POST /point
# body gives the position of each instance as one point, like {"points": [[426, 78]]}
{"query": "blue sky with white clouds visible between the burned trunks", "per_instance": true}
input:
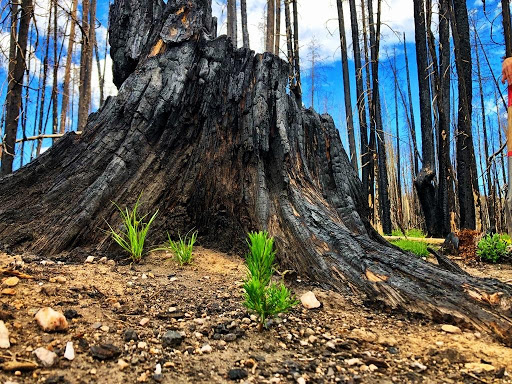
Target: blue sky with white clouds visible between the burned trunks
{"points": [[317, 21]]}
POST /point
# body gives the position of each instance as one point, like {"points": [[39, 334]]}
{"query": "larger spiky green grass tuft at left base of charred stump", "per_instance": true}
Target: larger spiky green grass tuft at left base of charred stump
{"points": [[134, 231]]}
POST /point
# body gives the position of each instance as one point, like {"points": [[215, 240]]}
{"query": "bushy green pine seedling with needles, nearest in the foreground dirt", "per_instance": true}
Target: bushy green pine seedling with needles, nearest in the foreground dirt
{"points": [[263, 297]]}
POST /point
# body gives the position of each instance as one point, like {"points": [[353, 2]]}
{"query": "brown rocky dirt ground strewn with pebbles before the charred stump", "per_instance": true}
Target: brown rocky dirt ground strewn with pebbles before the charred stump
{"points": [[156, 322]]}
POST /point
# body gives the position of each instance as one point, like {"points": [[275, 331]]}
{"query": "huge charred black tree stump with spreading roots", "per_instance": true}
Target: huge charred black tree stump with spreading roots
{"points": [[210, 136]]}
